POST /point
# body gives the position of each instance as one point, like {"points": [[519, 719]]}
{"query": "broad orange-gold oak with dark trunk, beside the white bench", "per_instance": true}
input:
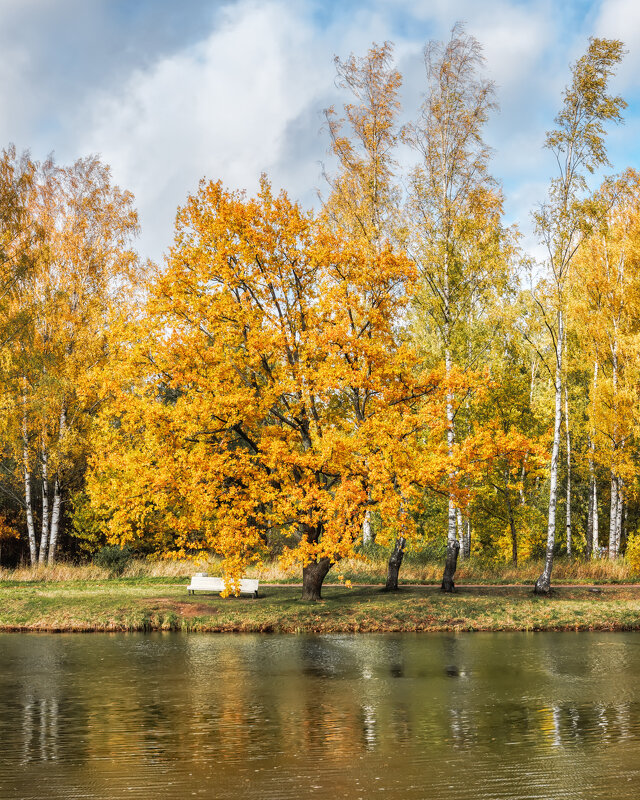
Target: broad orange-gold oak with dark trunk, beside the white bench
{"points": [[271, 391]]}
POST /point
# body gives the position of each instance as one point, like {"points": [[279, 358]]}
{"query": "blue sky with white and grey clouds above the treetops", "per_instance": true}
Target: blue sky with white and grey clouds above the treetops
{"points": [[168, 92]]}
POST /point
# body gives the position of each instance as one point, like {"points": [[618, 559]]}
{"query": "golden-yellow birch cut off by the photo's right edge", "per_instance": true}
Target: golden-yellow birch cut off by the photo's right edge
{"points": [[605, 298]]}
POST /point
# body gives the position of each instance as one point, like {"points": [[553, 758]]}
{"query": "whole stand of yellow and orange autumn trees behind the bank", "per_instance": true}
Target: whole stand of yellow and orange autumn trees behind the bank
{"points": [[391, 368]]}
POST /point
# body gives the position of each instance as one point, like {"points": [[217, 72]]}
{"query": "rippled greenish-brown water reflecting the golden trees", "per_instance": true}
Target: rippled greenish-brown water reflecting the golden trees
{"points": [[164, 716]]}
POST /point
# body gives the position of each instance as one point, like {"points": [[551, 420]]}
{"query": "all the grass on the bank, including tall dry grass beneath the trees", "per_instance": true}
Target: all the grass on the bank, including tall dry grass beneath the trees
{"points": [[151, 595]]}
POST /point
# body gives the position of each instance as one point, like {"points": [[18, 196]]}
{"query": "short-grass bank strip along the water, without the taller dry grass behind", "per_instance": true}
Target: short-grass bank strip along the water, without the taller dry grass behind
{"points": [[130, 604]]}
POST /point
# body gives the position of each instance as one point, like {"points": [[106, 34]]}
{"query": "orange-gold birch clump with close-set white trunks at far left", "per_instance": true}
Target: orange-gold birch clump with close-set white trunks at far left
{"points": [[82, 268]]}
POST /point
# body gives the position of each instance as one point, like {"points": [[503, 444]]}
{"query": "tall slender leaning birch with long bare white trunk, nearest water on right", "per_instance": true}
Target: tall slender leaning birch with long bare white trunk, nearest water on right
{"points": [[578, 146]]}
